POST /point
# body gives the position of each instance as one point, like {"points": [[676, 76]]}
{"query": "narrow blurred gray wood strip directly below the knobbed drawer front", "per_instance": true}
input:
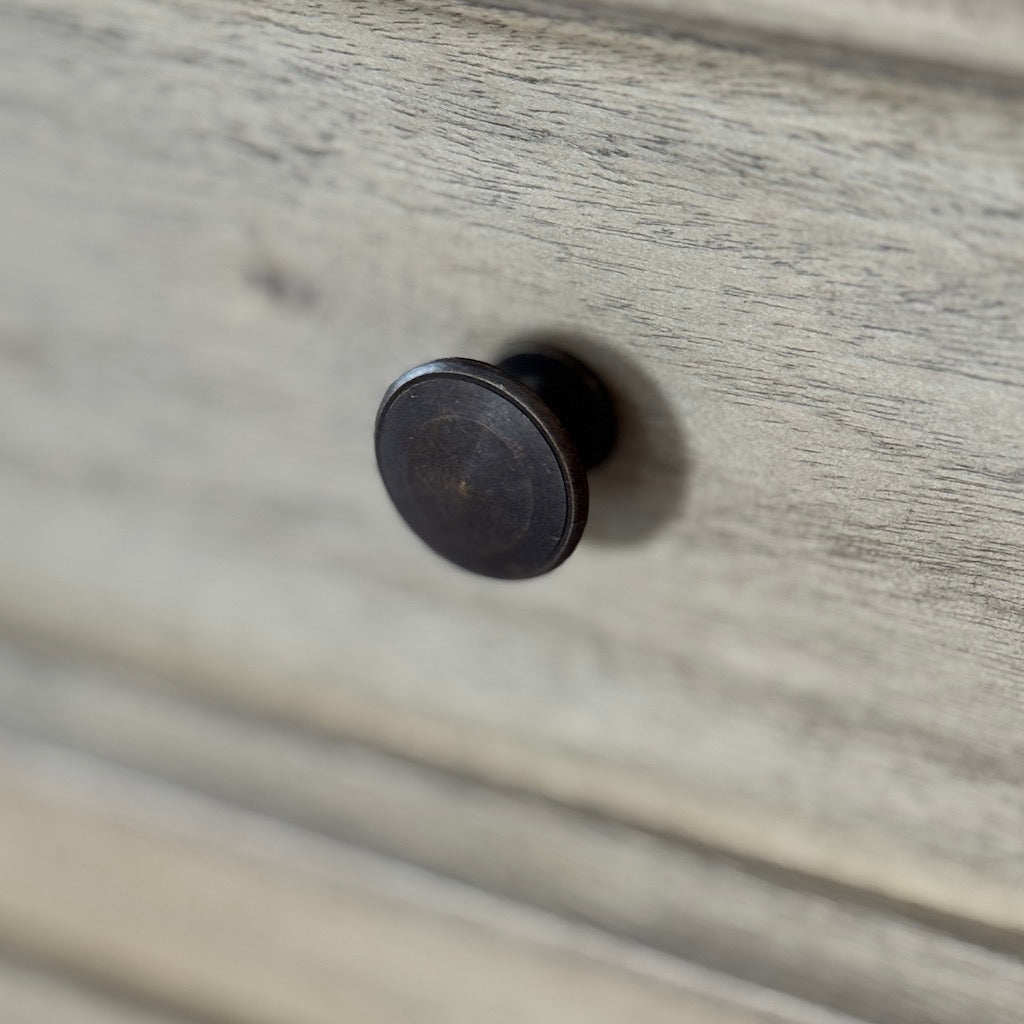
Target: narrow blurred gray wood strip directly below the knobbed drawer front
{"points": [[823, 946]]}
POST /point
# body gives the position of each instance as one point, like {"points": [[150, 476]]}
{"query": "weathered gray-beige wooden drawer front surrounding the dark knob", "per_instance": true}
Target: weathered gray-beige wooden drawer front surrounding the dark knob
{"points": [[795, 633]]}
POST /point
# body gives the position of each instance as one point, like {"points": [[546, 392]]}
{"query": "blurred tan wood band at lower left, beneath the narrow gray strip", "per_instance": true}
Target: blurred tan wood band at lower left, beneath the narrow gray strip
{"points": [[238, 918]]}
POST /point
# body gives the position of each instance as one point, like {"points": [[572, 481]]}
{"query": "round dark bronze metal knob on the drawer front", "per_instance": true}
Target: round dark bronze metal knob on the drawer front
{"points": [[488, 464]]}
